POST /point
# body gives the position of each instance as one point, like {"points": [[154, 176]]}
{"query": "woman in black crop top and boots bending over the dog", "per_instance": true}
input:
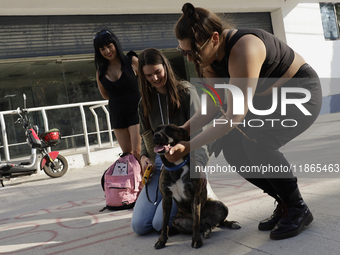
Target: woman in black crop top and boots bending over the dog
{"points": [[258, 66]]}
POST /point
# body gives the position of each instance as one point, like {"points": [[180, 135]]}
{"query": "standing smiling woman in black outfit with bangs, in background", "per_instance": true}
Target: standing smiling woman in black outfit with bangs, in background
{"points": [[117, 81]]}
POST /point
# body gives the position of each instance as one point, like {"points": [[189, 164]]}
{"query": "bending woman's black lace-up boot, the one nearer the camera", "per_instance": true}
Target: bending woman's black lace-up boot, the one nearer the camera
{"points": [[294, 220]]}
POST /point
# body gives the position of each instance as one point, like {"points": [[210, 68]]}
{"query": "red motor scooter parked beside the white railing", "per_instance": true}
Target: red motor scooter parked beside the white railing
{"points": [[53, 164]]}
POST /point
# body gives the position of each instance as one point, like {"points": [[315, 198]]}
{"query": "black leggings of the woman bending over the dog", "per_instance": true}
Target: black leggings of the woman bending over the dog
{"points": [[241, 152]]}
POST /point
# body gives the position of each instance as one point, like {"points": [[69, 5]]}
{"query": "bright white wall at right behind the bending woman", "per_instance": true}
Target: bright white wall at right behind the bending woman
{"points": [[304, 33]]}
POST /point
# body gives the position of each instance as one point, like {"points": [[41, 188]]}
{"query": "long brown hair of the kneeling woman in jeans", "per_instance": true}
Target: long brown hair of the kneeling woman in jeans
{"points": [[152, 56]]}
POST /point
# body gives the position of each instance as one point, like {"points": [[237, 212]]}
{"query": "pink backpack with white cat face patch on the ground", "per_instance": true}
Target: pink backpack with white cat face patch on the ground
{"points": [[121, 183]]}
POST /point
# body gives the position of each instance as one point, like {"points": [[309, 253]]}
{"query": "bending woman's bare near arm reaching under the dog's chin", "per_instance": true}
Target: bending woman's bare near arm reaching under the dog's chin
{"points": [[245, 61]]}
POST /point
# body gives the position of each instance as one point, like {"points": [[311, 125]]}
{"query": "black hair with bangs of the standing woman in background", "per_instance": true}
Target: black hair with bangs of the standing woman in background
{"points": [[103, 38]]}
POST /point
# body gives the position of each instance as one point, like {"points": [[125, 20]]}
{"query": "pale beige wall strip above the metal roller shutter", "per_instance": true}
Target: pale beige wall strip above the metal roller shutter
{"points": [[65, 7]]}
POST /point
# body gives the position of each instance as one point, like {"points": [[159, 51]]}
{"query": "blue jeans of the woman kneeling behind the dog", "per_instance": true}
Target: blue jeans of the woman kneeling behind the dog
{"points": [[147, 216]]}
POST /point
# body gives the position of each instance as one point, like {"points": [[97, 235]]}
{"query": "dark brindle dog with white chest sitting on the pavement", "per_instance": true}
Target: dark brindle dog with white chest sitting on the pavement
{"points": [[197, 211]]}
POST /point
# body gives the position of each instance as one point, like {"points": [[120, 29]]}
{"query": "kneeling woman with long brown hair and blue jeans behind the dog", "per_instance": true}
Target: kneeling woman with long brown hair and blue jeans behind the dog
{"points": [[165, 100]]}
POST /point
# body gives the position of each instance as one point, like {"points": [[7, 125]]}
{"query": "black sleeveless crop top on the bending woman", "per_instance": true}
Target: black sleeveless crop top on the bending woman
{"points": [[279, 57]]}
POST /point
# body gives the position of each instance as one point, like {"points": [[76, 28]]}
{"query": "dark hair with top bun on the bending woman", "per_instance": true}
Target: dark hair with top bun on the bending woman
{"points": [[197, 25]]}
